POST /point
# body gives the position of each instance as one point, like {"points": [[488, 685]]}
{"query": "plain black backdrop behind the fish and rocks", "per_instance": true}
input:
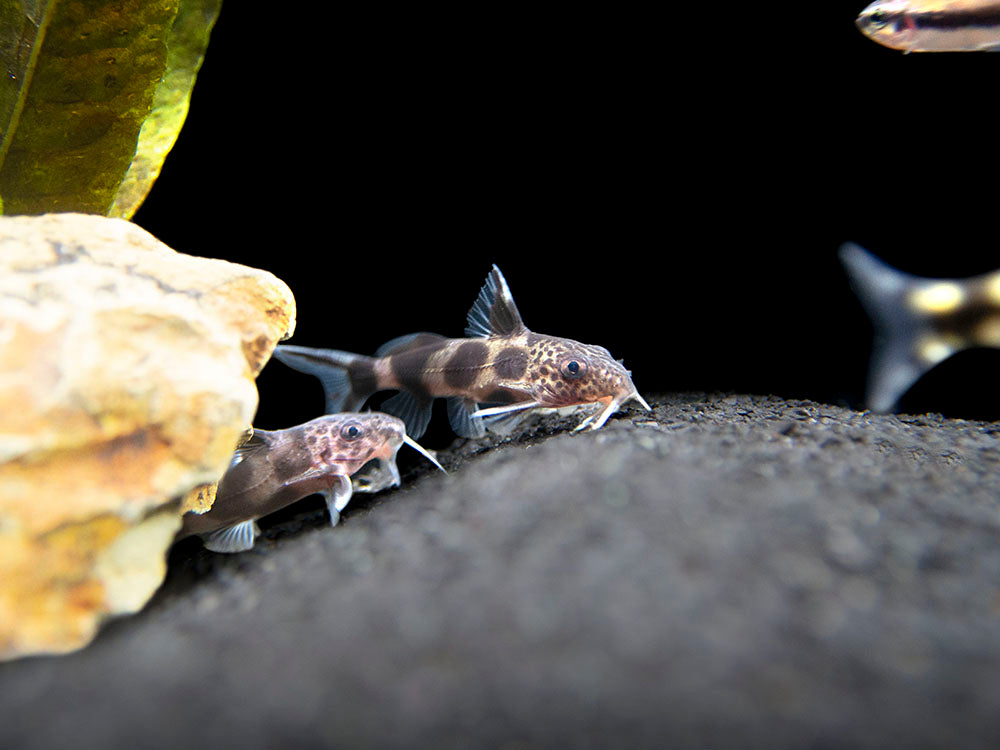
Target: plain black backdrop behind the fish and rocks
{"points": [[669, 182]]}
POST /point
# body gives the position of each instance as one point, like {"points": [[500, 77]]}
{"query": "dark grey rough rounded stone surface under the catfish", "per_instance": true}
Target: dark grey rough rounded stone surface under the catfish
{"points": [[728, 571]]}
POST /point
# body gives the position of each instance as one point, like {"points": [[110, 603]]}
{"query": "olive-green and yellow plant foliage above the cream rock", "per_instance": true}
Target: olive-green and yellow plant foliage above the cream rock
{"points": [[92, 97]]}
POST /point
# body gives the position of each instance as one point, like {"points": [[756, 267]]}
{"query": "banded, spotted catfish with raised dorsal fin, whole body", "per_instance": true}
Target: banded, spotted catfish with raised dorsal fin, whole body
{"points": [[490, 378]]}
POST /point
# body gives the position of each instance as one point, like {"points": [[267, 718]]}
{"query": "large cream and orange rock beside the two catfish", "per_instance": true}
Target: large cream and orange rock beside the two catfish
{"points": [[126, 379]]}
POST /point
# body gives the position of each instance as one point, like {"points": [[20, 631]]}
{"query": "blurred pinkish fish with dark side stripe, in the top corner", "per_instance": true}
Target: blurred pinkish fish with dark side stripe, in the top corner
{"points": [[933, 25]]}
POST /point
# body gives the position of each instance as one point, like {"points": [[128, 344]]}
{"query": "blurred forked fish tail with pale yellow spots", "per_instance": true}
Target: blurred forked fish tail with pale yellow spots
{"points": [[918, 322]]}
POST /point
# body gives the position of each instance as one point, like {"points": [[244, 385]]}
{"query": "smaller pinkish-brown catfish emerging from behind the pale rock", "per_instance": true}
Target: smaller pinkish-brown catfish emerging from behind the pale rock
{"points": [[274, 469]]}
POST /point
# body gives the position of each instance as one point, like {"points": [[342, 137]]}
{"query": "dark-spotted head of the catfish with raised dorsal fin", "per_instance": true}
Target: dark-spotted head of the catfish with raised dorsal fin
{"points": [[563, 372]]}
